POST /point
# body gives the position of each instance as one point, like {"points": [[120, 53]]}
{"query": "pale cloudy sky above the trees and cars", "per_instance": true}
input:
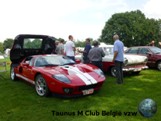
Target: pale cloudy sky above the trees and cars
{"points": [[60, 18]]}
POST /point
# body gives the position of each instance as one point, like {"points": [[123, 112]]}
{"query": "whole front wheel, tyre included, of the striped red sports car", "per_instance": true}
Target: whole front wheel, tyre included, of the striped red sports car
{"points": [[41, 86]]}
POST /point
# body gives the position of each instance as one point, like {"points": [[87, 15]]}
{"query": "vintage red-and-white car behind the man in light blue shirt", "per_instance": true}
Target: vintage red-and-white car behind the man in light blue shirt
{"points": [[132, 63]]}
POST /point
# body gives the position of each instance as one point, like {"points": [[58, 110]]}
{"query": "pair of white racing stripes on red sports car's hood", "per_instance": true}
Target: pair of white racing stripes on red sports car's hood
{"points": [[87, 79]]}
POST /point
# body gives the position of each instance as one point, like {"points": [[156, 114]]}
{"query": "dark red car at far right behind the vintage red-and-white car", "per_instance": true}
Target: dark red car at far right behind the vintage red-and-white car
{"points": [[153, 54]]}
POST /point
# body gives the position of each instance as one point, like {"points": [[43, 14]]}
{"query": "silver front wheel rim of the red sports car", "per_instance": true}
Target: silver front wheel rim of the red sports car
{"points": [[41, 86]]}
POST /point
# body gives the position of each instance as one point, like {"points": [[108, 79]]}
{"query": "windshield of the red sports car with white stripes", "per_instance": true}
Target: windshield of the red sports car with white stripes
{"points": [[53, 60]]}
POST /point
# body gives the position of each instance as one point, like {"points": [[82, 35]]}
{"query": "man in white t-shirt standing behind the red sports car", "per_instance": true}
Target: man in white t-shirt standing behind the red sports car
{"points": [[69, 48]]}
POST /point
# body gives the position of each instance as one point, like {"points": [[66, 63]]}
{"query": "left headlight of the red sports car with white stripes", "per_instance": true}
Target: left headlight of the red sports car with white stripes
{"points": [[61, 78]]}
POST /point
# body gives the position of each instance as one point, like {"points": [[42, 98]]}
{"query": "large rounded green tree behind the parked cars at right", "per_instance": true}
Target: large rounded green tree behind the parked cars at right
{"points": [[133, 28]]}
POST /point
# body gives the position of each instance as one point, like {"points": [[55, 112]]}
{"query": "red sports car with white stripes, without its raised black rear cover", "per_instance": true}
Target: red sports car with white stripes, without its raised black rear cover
{"points": [[58, 74]]}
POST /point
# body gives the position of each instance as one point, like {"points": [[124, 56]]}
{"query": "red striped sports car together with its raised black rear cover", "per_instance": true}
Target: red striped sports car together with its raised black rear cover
{"points": [[50, 72]]}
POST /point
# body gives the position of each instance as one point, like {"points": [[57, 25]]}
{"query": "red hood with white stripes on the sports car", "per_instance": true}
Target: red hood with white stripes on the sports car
{"points": [[79, 73]]}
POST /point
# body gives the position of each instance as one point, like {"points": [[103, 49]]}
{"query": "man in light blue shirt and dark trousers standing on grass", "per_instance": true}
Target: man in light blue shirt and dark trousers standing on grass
{"points": [[118, 58]]}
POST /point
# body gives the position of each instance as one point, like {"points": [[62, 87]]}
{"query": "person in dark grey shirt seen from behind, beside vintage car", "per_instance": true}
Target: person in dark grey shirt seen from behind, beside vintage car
{"points": [[95, 55]]}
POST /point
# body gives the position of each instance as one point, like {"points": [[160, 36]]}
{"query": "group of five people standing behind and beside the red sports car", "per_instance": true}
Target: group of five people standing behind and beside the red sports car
{"points": [[94, 55]]}
